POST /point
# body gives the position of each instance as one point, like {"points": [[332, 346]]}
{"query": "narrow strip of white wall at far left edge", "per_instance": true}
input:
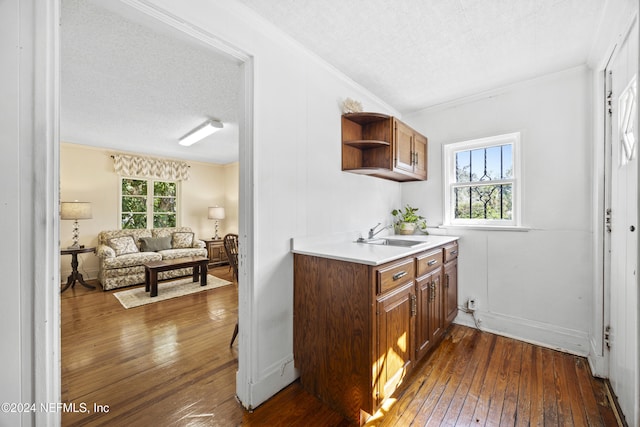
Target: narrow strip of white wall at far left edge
{"points": [[15, 374]]}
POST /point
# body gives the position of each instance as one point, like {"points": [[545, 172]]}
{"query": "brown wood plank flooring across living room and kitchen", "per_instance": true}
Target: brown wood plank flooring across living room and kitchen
{"points": [[169, 364]]}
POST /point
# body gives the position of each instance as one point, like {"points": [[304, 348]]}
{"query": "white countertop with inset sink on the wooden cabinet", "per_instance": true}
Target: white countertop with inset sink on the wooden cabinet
{"points": [[345, 248]]}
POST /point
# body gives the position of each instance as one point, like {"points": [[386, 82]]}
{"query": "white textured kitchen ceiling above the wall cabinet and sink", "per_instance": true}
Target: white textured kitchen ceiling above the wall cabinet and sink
{"points": [[418, 53]]}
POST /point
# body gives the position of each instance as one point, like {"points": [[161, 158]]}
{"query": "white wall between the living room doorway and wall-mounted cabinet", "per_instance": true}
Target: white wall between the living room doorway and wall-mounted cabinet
{"points": [[298, 186]]}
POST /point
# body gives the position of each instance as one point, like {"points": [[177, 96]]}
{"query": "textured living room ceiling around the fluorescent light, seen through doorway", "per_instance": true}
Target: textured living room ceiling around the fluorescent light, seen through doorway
{"points": [[129, 85]]}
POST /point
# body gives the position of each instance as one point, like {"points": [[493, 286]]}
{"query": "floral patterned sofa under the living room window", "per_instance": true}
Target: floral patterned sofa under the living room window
{"points": [[121, 253]]}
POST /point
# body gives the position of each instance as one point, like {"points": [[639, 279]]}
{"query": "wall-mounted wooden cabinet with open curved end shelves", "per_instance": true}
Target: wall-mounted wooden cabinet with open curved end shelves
{"points": [[380, 145]]}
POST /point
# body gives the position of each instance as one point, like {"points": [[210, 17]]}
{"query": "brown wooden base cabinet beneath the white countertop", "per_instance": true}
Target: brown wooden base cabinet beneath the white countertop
{"points": [[360, 329]]}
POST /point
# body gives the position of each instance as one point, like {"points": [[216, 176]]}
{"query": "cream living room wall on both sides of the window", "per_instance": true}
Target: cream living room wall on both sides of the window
{"points": [[86, 174]]}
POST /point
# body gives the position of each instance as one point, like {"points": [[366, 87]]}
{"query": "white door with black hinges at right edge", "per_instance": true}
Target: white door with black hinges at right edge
{"points": [[623, 359]]}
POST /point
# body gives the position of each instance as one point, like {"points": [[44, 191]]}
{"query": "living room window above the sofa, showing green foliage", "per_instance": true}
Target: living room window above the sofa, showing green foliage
{"points": [[146, 202]]}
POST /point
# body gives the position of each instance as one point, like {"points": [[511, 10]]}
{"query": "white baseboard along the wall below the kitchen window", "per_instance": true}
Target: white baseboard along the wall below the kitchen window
{"points": [[542, 334]]}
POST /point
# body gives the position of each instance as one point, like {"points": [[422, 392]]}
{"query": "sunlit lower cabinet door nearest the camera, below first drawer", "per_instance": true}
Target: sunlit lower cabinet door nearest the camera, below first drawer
{"points": [[395, 330]]}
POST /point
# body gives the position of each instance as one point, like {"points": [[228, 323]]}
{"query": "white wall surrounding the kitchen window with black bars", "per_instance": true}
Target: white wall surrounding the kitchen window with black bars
{"points": [[534, 285]]}
